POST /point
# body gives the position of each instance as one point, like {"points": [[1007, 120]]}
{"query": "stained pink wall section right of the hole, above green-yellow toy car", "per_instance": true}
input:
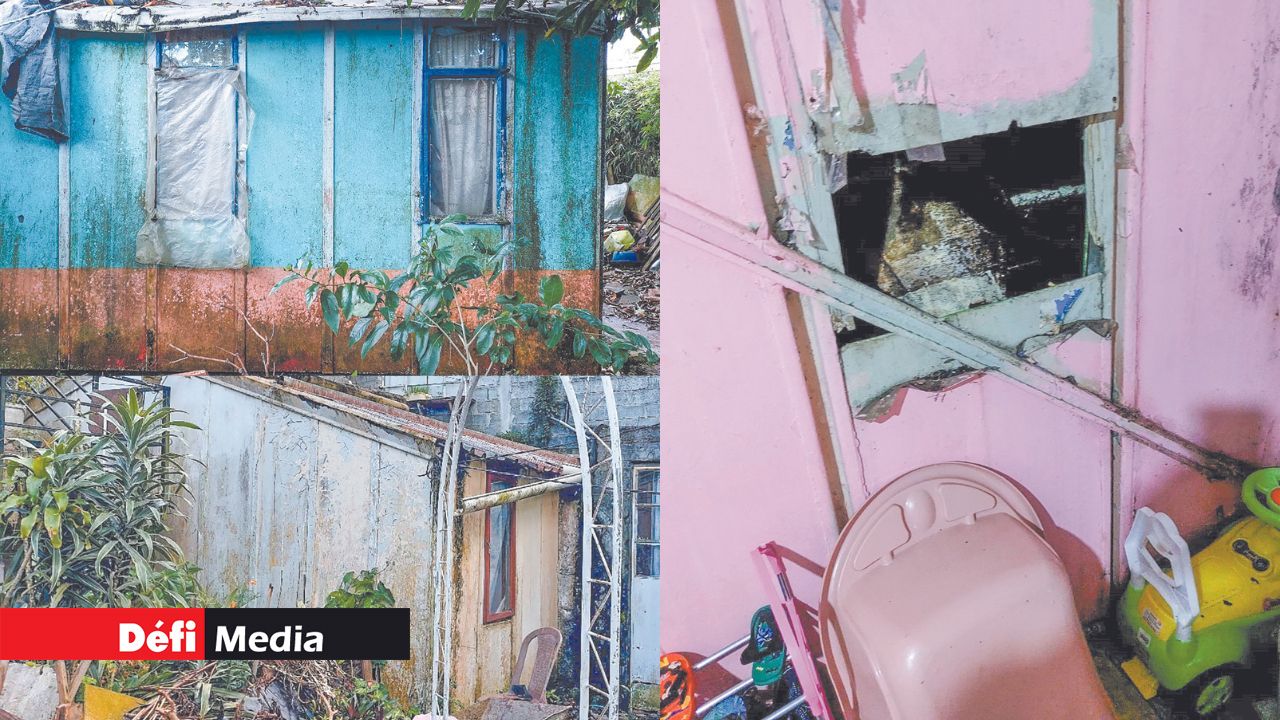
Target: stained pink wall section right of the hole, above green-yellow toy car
{"points": [[1203, 332]]}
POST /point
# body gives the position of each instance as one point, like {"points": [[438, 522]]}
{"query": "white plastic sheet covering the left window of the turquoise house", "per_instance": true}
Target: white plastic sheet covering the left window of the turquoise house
{"points": [[195, 224]]}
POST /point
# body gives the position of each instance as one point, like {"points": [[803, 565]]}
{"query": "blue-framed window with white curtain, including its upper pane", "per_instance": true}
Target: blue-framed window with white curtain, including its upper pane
{"points": [[464, 101]]}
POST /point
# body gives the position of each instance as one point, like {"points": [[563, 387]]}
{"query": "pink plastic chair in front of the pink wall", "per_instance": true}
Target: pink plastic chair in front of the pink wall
{"points": [[943, 601]]}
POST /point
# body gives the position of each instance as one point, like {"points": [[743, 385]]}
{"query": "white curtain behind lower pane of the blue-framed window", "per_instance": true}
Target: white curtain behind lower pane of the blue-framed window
{"points": [[461, 152]]}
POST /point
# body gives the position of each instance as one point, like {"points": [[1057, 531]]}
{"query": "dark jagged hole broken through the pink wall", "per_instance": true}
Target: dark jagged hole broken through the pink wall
{"points": [[1000, 217]]}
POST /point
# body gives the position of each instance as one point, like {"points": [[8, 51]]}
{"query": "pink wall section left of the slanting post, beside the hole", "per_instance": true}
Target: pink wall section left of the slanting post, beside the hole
{"points": [[742, 444]]}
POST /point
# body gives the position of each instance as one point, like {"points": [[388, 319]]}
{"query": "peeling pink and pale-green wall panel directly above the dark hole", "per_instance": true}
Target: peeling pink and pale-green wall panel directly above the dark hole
{"points": [[971, 70]]}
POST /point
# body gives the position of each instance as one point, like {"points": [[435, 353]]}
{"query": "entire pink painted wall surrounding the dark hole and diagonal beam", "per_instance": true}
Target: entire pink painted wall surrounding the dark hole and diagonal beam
{"points": [[1199, 309]]}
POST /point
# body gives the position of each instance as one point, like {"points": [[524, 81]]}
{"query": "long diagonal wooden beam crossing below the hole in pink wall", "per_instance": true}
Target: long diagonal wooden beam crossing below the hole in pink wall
{"points": [[760, 252]]}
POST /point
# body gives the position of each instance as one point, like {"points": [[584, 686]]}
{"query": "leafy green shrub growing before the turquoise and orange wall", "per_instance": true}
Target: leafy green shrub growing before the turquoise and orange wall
{"points": [[420, 311]]}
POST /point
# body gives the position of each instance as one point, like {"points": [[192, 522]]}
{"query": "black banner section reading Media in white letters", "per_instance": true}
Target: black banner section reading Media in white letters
{"points": [[308, 634]]}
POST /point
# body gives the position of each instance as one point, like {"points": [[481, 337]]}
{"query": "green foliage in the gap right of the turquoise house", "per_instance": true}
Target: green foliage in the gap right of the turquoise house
{"points": [[633, 127]]}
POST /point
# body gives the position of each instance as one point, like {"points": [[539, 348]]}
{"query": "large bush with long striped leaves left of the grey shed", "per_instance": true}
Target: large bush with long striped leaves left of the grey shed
{"points": [[84, 521]]}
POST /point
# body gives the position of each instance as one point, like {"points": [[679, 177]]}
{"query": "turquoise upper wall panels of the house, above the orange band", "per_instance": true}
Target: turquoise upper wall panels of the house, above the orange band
{"points": [[555, 129]]}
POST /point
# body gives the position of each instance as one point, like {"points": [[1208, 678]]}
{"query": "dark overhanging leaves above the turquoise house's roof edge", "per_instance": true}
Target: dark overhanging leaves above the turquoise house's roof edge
{"points": [[579, 17]]}
